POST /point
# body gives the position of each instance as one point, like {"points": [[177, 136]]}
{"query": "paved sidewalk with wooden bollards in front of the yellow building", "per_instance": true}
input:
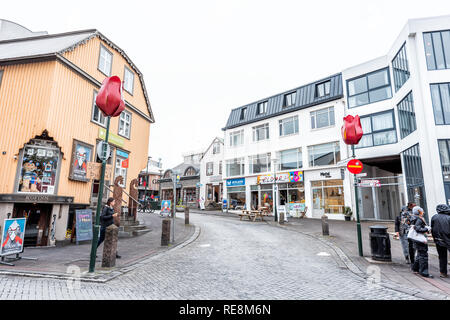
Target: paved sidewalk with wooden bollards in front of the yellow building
{"points": [[62, 262]]}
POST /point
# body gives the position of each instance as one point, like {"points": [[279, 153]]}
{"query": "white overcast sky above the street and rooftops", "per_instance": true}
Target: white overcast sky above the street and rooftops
{"points": [[200, 59]]}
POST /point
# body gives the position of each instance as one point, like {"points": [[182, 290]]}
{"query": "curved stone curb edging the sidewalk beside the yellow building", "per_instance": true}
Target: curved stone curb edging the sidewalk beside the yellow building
{"points": [[103, 276]]}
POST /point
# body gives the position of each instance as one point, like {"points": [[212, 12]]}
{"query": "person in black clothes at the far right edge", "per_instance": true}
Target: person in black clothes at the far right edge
{"points": [[440, 230]]}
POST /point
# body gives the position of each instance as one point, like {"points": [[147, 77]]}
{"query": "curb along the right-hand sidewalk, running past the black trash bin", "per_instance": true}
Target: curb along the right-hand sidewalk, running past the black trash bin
{"points": [[426, 295]]}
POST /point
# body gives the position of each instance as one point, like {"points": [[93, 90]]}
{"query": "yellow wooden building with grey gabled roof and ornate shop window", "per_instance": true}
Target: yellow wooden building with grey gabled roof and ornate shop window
{"points": [[50, 126]]}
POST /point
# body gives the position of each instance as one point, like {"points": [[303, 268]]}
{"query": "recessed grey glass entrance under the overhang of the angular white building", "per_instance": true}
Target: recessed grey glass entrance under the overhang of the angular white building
{"points": [[381, 202]]}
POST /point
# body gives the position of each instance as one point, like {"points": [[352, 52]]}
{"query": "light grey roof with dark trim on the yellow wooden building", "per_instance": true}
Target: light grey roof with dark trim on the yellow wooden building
{"points": [[55, 45]]}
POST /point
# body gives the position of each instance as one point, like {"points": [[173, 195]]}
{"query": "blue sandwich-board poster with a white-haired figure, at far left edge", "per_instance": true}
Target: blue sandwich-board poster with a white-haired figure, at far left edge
{"points": [[13, 236]]}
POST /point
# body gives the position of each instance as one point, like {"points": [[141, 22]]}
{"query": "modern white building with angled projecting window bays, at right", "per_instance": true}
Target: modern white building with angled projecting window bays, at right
{"points": [[403, 100]]}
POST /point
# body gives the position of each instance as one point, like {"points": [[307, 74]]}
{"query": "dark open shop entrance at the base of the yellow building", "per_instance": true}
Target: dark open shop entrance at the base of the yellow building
{"points": [[38, 222]]}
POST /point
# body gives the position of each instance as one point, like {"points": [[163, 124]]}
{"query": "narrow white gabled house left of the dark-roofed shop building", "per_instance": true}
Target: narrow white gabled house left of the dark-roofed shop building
{"points": [[211, 185]]}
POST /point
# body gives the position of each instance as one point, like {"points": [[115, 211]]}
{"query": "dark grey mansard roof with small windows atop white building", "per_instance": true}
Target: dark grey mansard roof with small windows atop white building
{"points": [[305, 98]]}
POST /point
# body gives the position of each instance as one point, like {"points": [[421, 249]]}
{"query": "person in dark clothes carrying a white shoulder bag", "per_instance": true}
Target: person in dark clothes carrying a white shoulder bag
{"points": [[420, 265]]}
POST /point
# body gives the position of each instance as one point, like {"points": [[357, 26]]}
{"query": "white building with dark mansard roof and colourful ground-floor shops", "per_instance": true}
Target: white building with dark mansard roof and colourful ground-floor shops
{"points": [[287, 149]]}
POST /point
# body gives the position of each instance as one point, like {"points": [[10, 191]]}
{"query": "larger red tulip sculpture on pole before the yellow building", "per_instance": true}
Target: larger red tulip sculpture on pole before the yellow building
{"points": [[109, 98]]}
